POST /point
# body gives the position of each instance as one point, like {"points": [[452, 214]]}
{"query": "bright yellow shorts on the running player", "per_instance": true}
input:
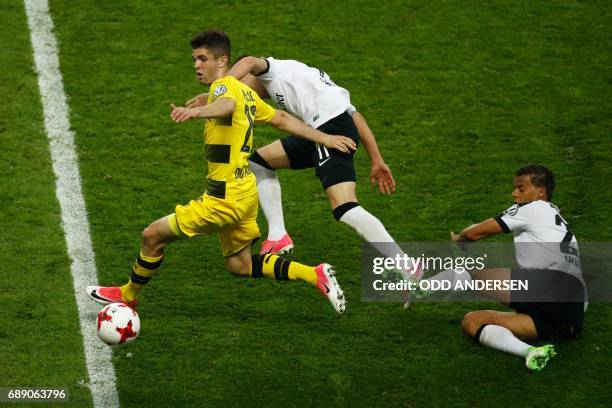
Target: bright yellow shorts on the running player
{"points": [[235, 220]]}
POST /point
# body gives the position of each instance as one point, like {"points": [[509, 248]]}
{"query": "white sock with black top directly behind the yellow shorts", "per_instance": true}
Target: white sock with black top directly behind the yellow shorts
{"points": [[270, 200]]}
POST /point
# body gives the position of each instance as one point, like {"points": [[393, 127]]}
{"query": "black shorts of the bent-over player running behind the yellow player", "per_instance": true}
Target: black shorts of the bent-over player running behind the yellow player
{"points": [[331, 165]]}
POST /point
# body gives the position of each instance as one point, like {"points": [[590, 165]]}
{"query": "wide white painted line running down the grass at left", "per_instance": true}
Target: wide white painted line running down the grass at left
{"points": [[68, 190]]}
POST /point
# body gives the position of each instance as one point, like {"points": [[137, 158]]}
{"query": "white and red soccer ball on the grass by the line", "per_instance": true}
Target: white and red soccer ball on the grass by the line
{"points": [[117, 324]]}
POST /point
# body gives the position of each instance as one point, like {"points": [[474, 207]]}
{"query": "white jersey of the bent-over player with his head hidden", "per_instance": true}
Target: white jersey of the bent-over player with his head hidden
{"points": [[304, 91]]}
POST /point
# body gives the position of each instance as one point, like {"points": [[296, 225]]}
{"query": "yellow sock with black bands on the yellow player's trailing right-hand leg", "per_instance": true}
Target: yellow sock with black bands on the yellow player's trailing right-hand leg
{"points": [[275, 267]]}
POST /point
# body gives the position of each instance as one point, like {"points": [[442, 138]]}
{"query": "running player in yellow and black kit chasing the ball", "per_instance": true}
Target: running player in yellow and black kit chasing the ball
{"points": [[230, 203]]}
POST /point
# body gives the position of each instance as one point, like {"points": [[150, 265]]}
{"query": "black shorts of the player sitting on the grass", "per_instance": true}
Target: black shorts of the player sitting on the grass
{"points": [[555, 302]]}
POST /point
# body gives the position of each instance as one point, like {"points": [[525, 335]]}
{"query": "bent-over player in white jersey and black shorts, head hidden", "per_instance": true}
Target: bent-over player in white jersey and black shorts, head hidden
{"points": [[310, 94]]}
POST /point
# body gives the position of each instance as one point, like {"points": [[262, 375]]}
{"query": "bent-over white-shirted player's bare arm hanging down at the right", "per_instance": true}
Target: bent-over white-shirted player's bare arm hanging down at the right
{"points": [[380, 173]]}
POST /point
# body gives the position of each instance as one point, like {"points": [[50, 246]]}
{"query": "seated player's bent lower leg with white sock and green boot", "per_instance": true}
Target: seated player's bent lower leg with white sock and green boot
{"points": [[505, 331]]}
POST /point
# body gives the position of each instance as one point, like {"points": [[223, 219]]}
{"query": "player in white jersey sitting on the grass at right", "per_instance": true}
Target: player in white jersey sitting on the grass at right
{"points": [[547, 255]]}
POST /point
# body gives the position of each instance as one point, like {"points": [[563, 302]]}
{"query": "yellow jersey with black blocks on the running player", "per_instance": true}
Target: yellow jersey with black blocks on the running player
{"points": [[229, 140]]}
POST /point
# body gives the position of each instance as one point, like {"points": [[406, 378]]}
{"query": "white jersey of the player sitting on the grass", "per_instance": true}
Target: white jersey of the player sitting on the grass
{"points": [[542, 238]]}
